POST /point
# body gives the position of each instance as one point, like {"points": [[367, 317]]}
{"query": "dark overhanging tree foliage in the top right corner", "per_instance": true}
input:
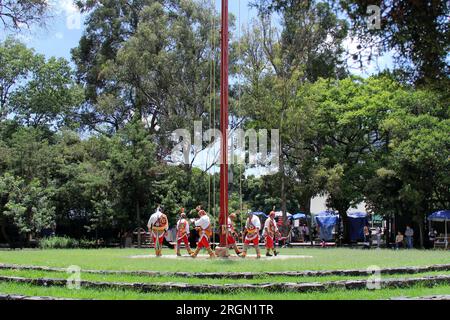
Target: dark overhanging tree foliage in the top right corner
{"points": [[417, 32]]}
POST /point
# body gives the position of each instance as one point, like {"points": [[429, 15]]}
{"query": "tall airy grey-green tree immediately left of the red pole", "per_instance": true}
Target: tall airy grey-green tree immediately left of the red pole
{"points": [[150, 59]]}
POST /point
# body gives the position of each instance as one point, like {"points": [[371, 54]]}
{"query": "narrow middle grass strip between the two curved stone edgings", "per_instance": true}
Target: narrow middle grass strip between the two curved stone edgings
{"points": [[145, 279]]}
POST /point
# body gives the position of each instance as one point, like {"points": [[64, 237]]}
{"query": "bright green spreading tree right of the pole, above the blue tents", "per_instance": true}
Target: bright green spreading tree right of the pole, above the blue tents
{"points": [[336, 126]]}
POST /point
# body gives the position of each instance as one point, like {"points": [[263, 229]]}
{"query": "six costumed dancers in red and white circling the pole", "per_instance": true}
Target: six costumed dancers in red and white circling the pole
{"points": [[158, 225]]}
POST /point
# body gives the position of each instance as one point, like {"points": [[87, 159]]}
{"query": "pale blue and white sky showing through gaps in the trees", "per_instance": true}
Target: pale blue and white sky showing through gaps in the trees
{"points": [[65, 28]]}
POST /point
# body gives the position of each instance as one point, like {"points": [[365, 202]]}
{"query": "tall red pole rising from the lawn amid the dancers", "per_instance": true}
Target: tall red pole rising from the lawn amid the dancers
{"points": [[223, 218]]}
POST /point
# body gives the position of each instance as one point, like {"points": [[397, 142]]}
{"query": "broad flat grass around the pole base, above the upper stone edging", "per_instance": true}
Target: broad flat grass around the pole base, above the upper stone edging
{"points": [[322, 259]]}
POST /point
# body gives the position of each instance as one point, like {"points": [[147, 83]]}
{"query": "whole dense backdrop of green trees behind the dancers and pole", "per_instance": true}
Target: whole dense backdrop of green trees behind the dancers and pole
{"points": [[84, 150]]}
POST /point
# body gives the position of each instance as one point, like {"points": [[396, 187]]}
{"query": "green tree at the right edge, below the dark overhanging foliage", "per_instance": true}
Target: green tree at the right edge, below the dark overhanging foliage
{"points": [[419, 156]]}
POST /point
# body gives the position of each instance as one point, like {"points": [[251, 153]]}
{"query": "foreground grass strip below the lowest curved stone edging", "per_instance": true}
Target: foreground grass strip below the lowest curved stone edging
{"points": [[23, 289]]}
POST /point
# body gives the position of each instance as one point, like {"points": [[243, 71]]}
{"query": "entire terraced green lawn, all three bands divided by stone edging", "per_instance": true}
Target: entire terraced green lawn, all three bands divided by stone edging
{"points": [[119, 259]]}
